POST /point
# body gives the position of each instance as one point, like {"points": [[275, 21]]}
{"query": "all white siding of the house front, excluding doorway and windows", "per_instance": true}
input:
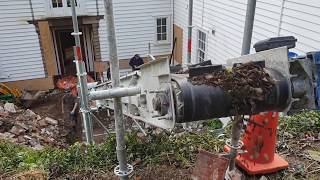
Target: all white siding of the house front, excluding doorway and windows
{"points": [[20, 53]]}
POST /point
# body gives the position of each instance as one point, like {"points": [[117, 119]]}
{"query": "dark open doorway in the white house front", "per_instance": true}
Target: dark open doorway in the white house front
{"points": [[64, 43]]}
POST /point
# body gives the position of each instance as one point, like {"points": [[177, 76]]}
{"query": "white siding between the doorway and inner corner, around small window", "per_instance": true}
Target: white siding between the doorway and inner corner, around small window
{"points": [[136, 28]]}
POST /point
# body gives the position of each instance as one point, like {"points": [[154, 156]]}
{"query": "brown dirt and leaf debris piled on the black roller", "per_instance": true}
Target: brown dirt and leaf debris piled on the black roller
{"points": [[246, 84]]}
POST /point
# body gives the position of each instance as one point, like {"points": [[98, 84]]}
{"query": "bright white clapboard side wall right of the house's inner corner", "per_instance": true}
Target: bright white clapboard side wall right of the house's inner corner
{"points": [[223, 21]]}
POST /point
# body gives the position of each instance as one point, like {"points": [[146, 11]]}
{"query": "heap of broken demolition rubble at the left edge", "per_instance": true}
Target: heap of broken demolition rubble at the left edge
{"points": [[25, 127]]}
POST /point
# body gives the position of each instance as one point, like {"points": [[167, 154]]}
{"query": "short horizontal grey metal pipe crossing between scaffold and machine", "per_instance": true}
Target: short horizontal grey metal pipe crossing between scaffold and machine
{"points": [[114, 93]]}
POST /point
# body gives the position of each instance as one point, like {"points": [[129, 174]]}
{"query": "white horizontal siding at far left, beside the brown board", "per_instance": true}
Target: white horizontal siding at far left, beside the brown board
{"points": [[20, 55]]}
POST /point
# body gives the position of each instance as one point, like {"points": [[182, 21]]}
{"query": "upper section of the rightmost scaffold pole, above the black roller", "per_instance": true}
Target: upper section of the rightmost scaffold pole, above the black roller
{"points": [[247, 34]]}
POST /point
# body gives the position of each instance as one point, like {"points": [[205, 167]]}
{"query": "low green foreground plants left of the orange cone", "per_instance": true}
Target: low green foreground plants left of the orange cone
{"points": [[153, 149]]}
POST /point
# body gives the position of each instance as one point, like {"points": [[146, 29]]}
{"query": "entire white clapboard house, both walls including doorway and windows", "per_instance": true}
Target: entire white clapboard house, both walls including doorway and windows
{"points": [[36, 45]]}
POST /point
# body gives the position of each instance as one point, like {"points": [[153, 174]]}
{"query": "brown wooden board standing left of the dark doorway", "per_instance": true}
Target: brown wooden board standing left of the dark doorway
{"points": [[48, 48]]}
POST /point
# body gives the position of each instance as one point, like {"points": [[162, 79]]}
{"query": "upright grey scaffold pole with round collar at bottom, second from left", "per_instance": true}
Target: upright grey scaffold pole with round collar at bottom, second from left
{"points": [[122, 170]]}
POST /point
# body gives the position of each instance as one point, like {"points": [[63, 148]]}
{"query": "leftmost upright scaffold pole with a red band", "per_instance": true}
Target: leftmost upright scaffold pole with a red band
{"points": [[82, 78]]}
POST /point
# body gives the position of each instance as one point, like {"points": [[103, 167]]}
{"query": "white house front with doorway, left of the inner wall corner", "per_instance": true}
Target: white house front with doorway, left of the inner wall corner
{"points": [[36, 45]]}
